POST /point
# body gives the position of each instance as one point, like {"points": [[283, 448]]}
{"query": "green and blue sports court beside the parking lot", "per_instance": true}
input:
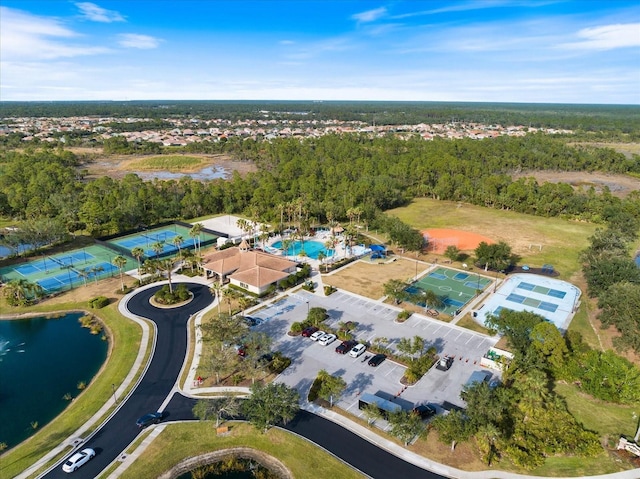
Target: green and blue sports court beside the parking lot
{"points": [[456, 288]]}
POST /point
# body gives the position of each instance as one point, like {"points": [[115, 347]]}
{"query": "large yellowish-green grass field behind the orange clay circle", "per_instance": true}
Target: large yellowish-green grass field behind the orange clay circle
{"points": [[561, 240]]}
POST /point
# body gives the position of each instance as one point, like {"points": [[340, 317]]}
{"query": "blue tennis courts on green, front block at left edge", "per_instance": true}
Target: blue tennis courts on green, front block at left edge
{"points": [[67, 270]]}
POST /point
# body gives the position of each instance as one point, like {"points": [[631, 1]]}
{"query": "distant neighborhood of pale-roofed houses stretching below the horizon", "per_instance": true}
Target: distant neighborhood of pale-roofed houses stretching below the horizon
{"points": [[186, 131]]}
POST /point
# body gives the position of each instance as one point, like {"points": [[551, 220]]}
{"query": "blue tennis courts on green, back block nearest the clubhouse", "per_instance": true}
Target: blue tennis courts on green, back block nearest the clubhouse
{"points": [[161, 242]]}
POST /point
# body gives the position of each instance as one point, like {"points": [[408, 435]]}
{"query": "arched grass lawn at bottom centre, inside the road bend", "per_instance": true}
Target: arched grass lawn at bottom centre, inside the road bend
{"points": [[180, 441]]}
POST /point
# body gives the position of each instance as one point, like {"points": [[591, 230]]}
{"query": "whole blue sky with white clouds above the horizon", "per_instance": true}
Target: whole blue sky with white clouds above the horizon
{"points": [[556, 51]]}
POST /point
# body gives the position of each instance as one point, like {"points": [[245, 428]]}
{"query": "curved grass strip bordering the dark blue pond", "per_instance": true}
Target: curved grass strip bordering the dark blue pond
{"points": [[126, 336]]}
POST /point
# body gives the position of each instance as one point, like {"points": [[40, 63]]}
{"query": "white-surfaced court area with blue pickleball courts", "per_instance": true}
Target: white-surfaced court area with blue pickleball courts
{"points": [[553, 299]]}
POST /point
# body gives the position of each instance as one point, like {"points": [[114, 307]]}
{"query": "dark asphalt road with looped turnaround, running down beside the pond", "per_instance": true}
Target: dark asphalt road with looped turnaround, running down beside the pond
{"points": [[156, 384]]}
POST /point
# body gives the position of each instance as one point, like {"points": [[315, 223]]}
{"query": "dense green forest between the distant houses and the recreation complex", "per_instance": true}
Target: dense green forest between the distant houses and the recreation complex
{"points": [[329, 175]]}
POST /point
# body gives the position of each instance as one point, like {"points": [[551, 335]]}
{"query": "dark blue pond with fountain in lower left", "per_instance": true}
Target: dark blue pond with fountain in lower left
{"points": [[41, 361]]}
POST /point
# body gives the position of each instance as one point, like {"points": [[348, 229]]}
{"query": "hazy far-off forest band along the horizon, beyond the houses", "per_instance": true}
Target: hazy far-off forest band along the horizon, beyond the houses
{"points": [[619, 120]]}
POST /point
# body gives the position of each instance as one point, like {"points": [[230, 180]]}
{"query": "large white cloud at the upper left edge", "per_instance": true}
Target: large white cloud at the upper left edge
{"points": [[27, 37]]}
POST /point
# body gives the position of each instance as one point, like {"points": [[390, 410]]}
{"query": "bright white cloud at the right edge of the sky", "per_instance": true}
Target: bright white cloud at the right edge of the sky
{"points": [[607, 37]]}
